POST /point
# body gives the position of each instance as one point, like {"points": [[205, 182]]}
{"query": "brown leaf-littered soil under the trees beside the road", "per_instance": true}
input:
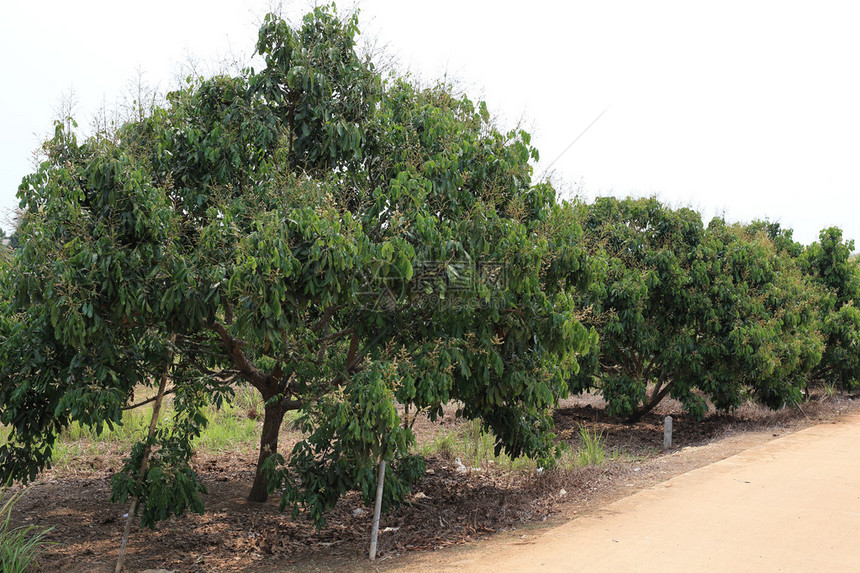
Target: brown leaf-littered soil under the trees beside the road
{"points": [[447, 508]]}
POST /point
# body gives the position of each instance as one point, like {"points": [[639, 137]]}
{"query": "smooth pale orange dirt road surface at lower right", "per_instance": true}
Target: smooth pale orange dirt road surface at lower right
{"points": [[791, 504]]}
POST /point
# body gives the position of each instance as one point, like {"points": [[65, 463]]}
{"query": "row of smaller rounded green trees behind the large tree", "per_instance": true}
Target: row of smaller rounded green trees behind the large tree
{"points": [[719, 313]]}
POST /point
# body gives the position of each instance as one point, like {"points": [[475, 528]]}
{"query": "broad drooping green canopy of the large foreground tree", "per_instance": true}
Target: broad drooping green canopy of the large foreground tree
{"points": [[339, 241]]}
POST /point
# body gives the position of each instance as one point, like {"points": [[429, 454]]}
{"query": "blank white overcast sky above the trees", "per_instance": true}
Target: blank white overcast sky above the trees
{"points": [[747, 108]]}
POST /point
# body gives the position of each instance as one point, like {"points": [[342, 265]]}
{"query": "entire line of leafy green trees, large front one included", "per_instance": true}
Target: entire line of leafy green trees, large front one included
{"points": [[344, 242]]}
